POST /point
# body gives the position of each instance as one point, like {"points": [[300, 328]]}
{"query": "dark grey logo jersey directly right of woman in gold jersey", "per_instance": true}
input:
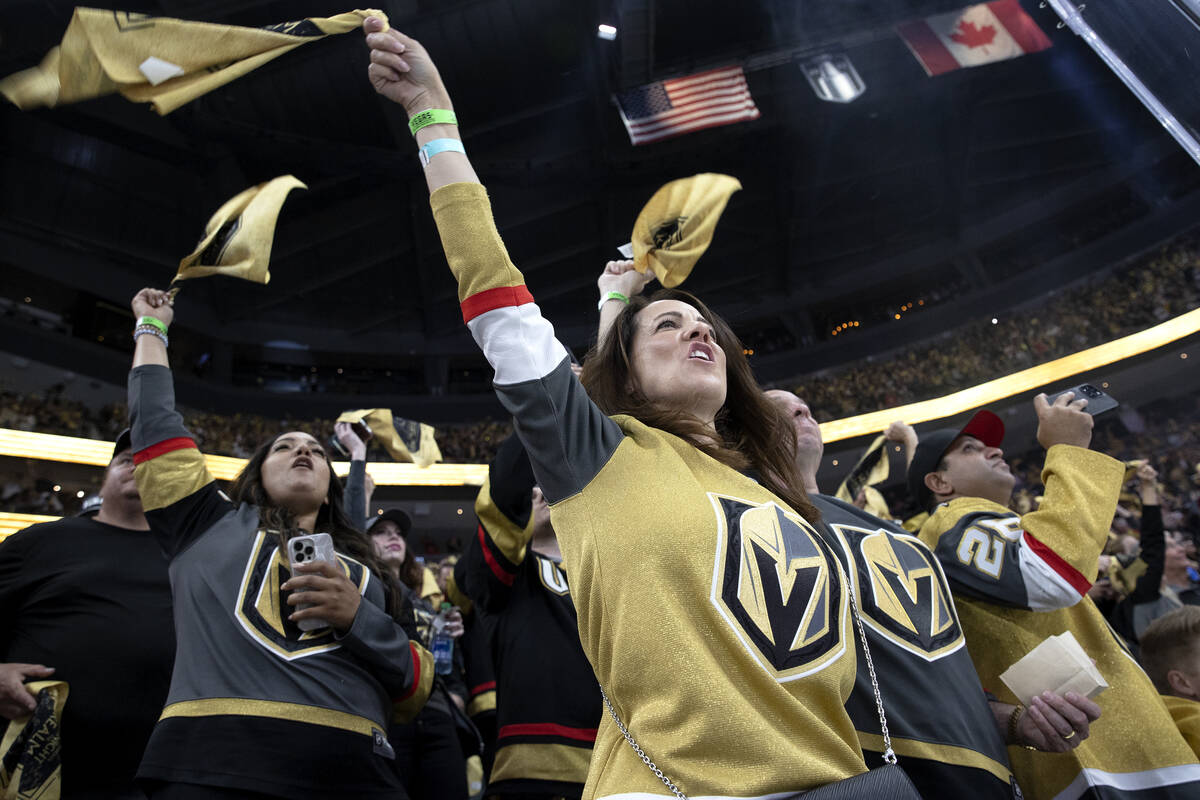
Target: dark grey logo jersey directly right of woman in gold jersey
{"points": [[941, 725]]}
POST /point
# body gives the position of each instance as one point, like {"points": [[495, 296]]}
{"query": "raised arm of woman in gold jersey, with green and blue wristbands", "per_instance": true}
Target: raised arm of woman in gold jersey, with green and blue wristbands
{"points": [[567, 437]]}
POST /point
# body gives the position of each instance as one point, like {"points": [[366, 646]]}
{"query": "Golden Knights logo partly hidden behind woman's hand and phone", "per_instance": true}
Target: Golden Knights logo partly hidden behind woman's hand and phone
{"points": [[263, 613]]}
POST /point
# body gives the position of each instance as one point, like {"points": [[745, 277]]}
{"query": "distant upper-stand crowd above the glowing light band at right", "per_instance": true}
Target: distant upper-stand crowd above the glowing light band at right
{"points": [[1149, 292]]}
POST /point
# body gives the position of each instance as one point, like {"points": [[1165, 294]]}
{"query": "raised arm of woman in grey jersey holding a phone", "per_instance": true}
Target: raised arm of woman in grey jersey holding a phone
{"points": [[178, 494]]}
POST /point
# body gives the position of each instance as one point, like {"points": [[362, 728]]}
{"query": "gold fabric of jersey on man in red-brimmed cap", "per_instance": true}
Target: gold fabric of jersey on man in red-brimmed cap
{"points": [[1135, 736]]}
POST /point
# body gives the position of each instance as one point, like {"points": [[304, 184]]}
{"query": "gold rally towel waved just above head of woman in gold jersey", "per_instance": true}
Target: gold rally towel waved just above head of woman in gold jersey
{"points": [[677, 225]]}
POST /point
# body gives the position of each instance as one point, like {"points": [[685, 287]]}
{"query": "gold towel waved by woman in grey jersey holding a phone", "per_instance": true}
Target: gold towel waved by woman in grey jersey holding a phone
{"points": [[238, 239]]}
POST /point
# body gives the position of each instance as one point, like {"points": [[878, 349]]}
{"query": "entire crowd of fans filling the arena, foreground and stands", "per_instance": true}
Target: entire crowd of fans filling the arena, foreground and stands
{"points": [[661, 600]]}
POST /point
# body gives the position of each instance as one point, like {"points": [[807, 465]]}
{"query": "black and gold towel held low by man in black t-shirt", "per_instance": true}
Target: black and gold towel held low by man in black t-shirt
{"points": [[32, 749]]}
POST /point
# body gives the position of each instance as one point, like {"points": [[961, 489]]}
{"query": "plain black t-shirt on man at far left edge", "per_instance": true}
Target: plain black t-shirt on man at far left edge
{"points": [[94, 603]]}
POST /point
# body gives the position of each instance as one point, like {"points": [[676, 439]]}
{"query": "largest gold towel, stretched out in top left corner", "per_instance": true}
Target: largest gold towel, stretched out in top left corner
{"points": [[159, 61]]}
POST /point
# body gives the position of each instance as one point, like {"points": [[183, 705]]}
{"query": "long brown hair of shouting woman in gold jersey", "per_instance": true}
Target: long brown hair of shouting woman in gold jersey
{"points": [[752, 431]]}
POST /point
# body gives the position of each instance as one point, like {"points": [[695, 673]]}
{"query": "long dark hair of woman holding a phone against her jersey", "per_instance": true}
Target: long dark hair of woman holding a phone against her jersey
{"points": [[332, 520]]}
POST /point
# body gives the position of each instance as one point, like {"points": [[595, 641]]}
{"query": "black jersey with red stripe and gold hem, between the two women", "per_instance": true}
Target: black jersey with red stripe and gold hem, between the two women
{"points": [[548, 702]]}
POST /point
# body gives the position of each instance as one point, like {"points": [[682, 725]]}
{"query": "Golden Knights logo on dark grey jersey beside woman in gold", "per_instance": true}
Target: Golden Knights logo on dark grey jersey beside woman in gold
{"points": [[902, 592]]}
